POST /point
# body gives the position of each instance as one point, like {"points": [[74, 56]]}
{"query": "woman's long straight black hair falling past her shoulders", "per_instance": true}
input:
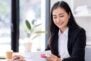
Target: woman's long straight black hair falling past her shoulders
{"points": [[53, 28]]}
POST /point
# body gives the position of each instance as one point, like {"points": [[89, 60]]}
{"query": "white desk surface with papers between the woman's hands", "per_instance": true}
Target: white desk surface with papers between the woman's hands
{"points": [[32, 56]]}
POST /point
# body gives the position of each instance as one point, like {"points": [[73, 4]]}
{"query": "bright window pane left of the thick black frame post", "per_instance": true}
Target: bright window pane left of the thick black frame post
{"points": [[5, 26]]}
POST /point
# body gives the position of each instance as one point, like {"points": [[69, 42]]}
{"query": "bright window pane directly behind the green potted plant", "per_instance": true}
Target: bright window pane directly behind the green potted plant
{"points": [[34, 12]]}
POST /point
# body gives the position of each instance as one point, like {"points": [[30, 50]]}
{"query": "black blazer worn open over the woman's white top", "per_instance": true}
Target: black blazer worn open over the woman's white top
{"points": [[76, 45]]}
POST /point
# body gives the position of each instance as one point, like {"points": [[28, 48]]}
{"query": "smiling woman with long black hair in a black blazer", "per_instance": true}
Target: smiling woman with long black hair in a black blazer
{"points": [[67, 39]]}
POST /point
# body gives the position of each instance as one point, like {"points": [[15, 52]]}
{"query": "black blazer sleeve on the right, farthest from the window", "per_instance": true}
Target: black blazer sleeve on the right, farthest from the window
{"points": [[78, 50]]}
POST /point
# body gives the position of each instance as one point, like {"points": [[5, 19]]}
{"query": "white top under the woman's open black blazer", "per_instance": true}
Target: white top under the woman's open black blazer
{"points": [[63, 41]]}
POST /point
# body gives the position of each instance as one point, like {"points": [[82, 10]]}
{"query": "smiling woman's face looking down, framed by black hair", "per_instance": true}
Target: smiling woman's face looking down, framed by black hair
{"points": [[60, 18]]}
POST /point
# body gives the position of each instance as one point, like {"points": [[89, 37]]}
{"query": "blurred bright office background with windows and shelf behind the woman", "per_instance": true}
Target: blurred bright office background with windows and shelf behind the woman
{"points": [[13, 13]]}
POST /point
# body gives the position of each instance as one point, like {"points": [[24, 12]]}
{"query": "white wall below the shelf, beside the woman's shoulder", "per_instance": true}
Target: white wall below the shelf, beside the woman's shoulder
{"points": [[85, 22]]}
